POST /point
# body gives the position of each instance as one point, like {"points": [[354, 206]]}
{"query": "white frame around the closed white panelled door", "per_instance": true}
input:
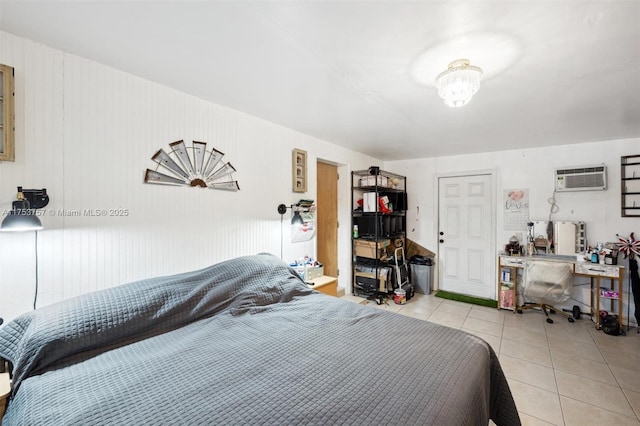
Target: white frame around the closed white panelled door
{"points": [[494, 219]]}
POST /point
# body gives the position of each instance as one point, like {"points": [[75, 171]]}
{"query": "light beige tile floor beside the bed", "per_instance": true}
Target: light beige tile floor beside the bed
{"points": [[559, 374]]}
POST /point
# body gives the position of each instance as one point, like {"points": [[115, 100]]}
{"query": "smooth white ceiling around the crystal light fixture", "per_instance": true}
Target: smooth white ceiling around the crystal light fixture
{"points": [[359, 73]]}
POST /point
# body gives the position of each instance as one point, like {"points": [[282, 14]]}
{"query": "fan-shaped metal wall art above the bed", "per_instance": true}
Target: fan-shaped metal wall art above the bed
{"points": [[193, 166]]}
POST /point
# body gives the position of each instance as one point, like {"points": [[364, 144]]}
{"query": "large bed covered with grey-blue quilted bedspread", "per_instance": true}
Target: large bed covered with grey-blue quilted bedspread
{"points": [[243, 342]]}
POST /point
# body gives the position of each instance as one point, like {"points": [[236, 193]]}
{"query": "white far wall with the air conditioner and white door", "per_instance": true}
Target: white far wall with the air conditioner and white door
{"points": [[532, 169]]}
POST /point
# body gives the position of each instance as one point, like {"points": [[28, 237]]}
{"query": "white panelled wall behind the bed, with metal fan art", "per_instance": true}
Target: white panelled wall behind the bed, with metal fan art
{"points": [[87, 132]]}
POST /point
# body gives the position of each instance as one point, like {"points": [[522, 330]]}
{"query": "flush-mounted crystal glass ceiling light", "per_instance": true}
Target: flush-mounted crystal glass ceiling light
{"points": [[458, 83]]}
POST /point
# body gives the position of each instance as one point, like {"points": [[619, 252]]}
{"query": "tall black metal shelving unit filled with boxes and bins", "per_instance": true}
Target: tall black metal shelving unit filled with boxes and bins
{"points": [[376, 226]]}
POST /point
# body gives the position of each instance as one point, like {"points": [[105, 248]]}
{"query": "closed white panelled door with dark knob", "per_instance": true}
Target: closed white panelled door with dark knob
{"points": [[466, 235]]}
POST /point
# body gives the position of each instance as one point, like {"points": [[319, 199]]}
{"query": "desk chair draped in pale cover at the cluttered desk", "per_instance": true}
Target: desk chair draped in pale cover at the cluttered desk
{"points": [[545, 284]]}
